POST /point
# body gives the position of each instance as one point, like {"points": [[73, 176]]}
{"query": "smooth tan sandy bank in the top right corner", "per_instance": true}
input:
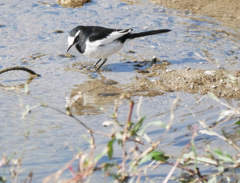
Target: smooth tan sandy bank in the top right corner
{"points": [[225, 11]]}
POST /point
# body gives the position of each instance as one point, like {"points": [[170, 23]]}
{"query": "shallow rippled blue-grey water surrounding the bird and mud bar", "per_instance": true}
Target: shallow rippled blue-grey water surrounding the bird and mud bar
{"points": [[28, 38]]}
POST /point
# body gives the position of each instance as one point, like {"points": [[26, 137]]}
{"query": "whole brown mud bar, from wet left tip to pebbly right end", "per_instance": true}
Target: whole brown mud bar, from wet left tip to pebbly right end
{"points": [[155, 81]]}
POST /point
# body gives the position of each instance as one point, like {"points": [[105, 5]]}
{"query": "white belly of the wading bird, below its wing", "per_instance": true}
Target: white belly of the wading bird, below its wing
{"points": [[96, 50]]}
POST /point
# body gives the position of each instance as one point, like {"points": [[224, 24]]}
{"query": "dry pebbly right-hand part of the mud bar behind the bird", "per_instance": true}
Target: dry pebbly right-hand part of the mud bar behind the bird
{"points": [[223, 84]]}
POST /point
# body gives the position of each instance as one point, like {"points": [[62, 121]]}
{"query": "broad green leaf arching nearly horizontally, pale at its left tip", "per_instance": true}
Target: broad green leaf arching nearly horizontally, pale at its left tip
{"points": [[154, 155]]}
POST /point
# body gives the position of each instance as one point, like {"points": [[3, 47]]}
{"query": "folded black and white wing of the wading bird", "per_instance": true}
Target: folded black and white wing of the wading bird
{"points": [[105, 36]]}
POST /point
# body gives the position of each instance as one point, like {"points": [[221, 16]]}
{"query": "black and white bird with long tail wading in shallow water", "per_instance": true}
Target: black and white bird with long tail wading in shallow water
{"points": [[99, 42]]}
